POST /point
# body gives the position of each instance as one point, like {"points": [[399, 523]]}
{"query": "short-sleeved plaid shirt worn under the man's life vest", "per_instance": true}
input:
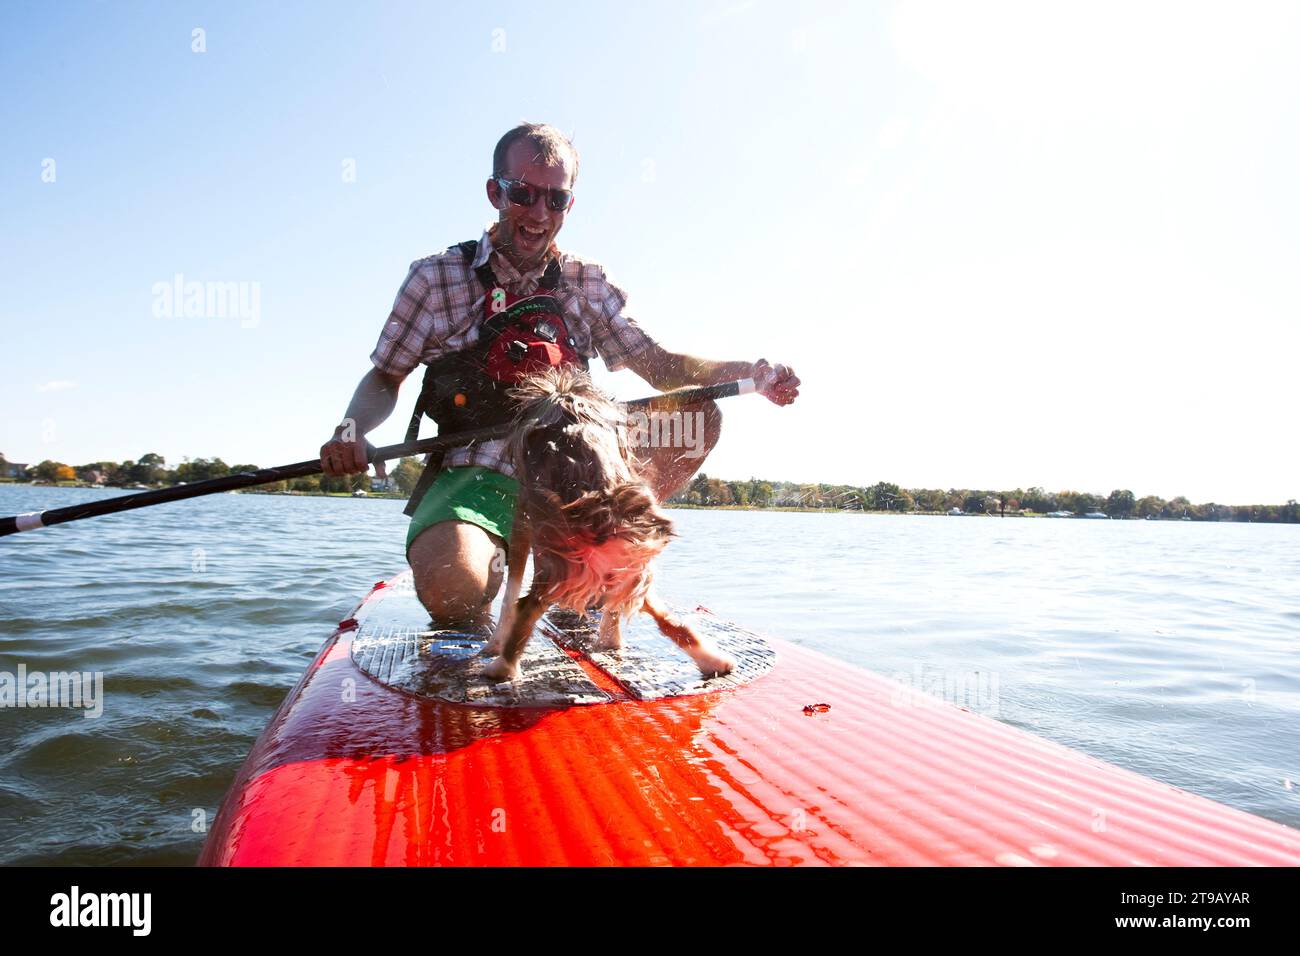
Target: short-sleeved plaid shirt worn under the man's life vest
{"points": [[440, 308]]}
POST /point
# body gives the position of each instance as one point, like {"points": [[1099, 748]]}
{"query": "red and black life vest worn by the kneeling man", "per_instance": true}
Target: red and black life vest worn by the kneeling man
{"points": [[467, 390]]}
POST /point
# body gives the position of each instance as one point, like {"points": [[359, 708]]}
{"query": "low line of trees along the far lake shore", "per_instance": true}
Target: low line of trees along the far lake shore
{"points": [[712, 492]]}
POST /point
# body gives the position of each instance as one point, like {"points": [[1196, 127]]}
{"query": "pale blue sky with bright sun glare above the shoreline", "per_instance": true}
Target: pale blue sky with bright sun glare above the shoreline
{"points": [[1002, 244]]}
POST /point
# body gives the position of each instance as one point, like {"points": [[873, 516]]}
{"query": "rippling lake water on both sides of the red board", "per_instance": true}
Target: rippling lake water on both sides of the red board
{"points": [[1167, 648]]}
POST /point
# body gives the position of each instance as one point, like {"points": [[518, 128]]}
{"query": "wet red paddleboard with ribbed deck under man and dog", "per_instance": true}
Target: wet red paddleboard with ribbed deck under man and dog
{"points": [[392, 752]]}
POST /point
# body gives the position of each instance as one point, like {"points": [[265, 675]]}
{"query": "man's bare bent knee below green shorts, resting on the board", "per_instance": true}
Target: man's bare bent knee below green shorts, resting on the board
{"points": [[458, 570]]}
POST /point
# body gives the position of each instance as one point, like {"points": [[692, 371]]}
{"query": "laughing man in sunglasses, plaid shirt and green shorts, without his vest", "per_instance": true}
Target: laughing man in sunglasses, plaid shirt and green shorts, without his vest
{"points": [[462, 525]]}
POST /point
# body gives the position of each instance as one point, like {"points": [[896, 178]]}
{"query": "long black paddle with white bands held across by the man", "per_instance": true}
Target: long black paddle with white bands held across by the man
{"points": [[265, 477]]}
